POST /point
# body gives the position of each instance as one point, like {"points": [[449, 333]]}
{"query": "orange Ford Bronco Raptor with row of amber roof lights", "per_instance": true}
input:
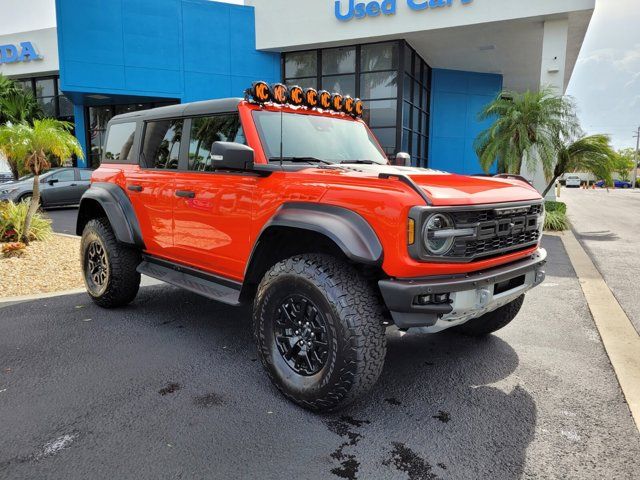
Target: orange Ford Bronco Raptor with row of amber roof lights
{"points": [[285, 200]]}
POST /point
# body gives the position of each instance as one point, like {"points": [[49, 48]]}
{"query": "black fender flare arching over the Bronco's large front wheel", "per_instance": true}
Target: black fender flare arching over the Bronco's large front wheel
{"points": [[347, 229]]}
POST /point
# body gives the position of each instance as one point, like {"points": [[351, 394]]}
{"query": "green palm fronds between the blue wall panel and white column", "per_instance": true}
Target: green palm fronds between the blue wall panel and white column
{"points": [[528, 127]]}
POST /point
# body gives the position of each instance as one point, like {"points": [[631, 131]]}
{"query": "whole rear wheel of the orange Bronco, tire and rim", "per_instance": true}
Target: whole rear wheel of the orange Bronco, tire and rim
{"points": [[109, 267]]}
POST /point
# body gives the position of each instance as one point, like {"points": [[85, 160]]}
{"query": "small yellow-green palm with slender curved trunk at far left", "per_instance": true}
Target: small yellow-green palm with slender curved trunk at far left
{"points": [[34, 144]]}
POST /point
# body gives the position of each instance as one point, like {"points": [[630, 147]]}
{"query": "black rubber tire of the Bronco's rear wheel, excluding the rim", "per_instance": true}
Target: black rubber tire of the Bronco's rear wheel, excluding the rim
{"points": [[123, 280]]}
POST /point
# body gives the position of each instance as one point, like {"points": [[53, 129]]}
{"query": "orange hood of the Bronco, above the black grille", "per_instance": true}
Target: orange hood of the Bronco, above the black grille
{"points": [[450, 189]]}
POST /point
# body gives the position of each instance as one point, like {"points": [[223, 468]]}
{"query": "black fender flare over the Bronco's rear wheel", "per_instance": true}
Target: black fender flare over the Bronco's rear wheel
{"points": [[118, 208]]}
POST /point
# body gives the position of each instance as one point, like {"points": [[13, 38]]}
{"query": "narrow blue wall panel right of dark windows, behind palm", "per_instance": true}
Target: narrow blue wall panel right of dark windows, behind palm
{"points": [[456, 100]]}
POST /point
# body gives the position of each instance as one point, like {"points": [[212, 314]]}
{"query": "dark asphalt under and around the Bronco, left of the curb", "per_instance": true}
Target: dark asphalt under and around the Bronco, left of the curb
{"points": [[169, 387]]}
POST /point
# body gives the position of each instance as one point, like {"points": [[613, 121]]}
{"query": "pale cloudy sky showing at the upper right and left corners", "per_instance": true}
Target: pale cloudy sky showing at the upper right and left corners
{"points": [[605, 82]]}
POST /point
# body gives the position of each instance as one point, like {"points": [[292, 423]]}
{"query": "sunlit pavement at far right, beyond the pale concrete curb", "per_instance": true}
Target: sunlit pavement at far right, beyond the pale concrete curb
{"points": [[607, 223]]}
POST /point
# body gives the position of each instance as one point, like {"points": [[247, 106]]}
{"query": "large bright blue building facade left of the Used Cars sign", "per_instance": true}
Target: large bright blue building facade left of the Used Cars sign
{"points": [[150, 50]]}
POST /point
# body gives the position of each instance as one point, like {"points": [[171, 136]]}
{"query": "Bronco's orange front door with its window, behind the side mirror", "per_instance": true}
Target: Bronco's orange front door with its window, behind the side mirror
{"points": [[212, 209]]}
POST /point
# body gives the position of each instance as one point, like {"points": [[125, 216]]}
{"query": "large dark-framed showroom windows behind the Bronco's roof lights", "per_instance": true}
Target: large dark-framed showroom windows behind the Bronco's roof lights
{"points": [[391, 79]]}
